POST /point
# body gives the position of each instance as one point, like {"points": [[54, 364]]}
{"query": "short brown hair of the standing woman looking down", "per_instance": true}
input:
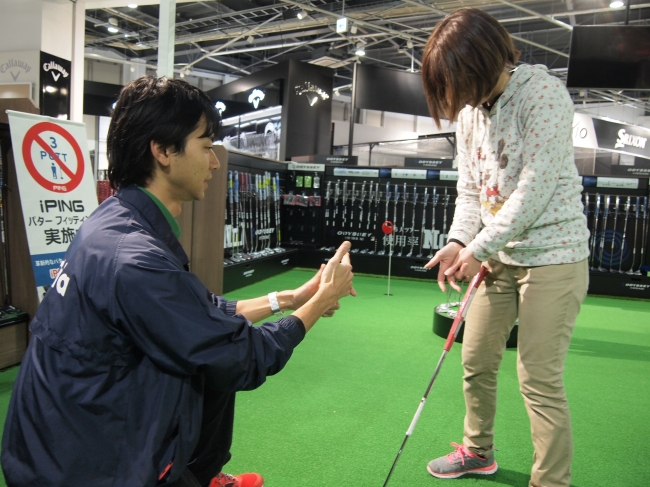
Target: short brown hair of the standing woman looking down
{"points": [[462, 61]]}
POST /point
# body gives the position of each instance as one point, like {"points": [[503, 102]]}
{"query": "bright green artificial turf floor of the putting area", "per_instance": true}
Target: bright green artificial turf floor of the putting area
{"points": [[337, 414]]}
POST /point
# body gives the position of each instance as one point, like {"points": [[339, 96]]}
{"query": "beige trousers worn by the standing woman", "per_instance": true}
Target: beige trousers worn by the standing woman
{"points": [[547, 300]]}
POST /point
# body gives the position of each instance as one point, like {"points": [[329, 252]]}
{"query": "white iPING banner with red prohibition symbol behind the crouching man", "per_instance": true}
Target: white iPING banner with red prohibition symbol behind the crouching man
{"points": [[56, 185]]}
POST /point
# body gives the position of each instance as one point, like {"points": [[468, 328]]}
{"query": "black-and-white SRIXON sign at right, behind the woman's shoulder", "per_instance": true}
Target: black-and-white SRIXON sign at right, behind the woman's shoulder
{"points": [[596, 133]]}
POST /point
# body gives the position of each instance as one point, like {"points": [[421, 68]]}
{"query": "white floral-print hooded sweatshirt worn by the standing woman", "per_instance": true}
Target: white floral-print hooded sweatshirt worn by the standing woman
{"points": [[519, 193]]}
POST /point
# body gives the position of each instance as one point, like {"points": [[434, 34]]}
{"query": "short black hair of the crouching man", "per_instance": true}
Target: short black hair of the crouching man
{"points": [[149, 109]]}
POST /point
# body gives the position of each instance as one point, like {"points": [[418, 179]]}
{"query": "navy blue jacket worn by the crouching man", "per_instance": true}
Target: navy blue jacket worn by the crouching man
{"points": [[110, 390]]}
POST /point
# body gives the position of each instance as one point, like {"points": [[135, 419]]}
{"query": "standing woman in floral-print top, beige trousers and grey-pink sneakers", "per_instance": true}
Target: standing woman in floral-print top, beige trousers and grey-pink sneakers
{"points": [[518, 212]]}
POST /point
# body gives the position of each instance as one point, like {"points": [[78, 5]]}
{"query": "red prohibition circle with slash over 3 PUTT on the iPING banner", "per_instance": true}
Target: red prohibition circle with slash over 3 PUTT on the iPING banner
{"points": [[32, 136]]}
